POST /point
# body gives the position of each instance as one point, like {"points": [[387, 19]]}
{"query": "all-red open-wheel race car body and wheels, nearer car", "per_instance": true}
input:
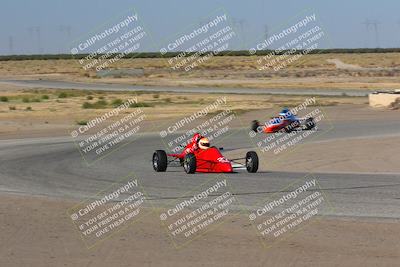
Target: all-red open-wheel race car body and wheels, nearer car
{"points": [[208, 160]]}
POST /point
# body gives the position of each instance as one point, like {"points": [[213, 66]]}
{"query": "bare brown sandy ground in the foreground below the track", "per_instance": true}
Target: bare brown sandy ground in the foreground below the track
{"points": [[37, 232]]}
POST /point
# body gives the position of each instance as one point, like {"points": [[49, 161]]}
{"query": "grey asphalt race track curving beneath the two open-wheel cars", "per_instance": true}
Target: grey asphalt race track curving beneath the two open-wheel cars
{"points": [[54, 167]]}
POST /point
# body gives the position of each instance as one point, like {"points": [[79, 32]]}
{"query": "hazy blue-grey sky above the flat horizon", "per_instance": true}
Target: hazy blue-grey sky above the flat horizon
{"points": [[49, 26]]}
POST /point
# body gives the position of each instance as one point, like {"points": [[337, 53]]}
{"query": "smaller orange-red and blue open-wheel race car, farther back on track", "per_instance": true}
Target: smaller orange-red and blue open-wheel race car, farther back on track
{"points": [[284, 122]]}
